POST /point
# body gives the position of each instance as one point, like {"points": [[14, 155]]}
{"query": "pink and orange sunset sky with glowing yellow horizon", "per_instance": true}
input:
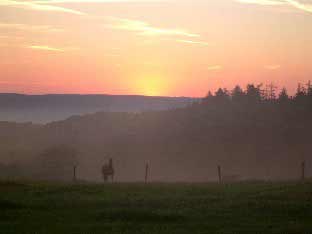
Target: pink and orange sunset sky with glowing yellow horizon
{"points": [[153, 47]]}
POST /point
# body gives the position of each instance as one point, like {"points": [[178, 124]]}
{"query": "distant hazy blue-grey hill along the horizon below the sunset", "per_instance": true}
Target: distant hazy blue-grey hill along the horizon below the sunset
{"points": [[48, 108]]}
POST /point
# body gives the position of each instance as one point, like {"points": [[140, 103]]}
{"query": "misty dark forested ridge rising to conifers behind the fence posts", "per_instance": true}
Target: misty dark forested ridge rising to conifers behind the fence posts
{"points": [[255, 133]]}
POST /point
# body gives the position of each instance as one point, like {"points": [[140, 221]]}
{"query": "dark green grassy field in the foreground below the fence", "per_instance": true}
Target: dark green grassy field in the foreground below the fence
{"points": [[156, 208]]}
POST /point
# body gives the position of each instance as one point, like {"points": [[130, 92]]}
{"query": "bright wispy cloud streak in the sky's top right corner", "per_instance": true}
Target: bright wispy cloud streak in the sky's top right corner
{"points": [[293, 3]]}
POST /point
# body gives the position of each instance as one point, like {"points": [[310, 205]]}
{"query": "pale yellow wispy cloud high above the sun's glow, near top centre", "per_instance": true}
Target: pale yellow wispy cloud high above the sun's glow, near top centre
{"points": [[146, 29]]}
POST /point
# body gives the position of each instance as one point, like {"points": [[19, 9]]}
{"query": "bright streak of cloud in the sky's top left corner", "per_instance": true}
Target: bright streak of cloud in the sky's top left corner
{"points": [[32, 5]]}
